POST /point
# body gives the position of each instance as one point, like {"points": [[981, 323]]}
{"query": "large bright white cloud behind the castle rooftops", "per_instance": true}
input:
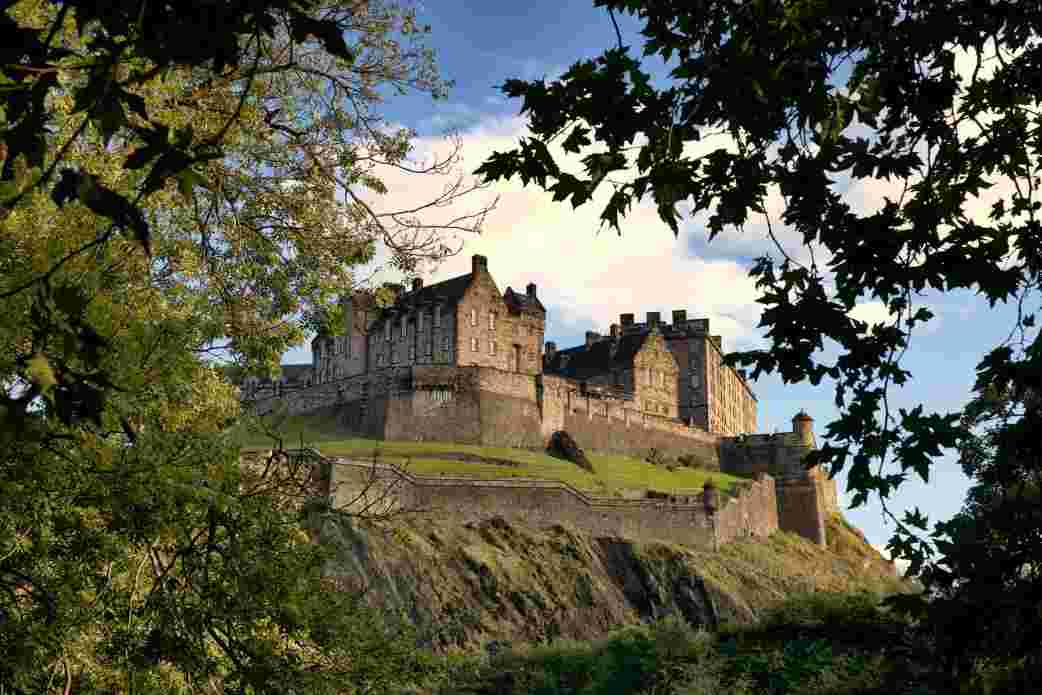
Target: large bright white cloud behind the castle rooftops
{"points": [[587, 276]]}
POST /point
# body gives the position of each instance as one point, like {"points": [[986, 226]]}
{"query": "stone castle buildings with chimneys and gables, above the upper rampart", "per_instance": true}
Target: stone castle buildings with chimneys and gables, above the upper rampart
{"points": [[675, 371]]}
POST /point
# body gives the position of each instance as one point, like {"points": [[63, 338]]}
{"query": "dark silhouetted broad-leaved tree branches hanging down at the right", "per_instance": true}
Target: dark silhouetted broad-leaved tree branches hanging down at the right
{"points": [[767, 75]]}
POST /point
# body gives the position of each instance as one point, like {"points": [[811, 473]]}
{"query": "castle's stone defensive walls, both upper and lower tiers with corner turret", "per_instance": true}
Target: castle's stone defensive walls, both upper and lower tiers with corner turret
{"points": [[491, 407]]}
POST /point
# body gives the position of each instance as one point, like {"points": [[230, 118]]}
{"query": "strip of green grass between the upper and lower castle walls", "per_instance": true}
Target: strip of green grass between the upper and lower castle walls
{"points": [[614, 475]]}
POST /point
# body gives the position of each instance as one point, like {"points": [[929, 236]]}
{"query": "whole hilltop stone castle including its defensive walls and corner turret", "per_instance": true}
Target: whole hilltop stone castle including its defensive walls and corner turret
{"points": [[460, 361]]}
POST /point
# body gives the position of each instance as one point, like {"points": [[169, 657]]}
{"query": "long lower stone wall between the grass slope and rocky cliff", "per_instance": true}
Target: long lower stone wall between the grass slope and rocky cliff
{"points": [[359, 486]]}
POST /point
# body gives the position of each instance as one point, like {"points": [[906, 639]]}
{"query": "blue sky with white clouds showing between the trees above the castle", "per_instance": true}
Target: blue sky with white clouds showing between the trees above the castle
{"points": [[587, 277]]}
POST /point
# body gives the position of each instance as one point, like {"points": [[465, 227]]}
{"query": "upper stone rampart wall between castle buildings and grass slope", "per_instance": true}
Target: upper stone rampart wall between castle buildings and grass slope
{"points": [[494, 408]]}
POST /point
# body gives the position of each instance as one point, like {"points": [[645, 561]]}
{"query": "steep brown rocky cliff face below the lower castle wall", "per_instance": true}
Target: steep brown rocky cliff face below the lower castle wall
{"points": [[467, 585]]}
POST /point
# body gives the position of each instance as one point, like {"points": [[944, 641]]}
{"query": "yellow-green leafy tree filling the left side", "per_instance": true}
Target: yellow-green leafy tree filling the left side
{"points": [[168, 181]]}
